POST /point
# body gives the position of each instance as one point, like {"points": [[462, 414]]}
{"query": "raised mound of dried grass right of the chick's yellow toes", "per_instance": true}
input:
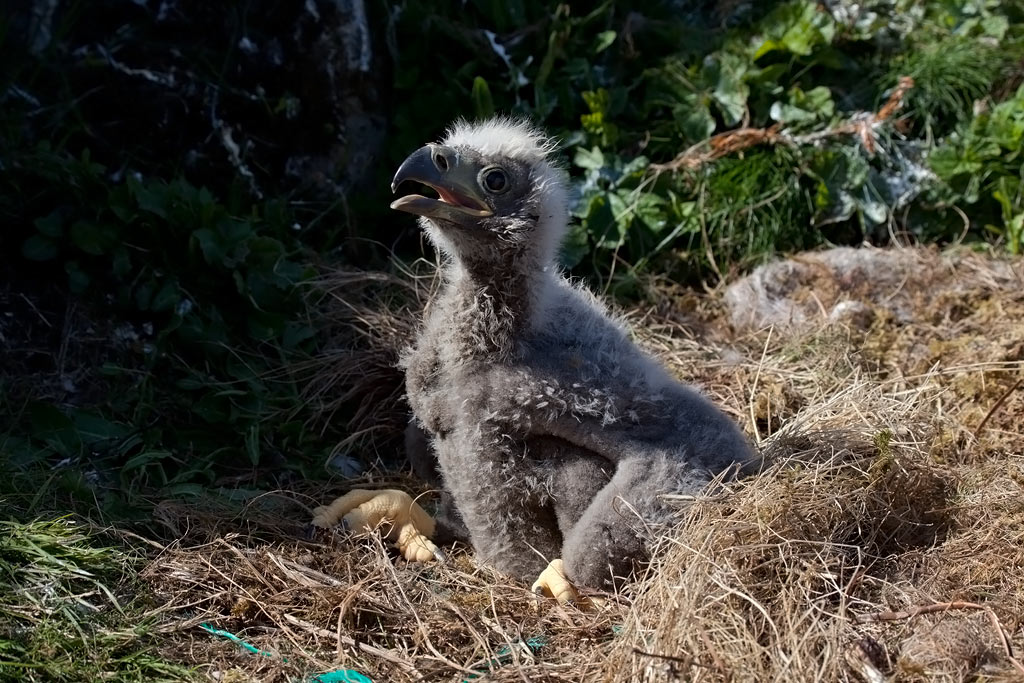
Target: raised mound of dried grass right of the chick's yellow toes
{"points": [[765, 583]]}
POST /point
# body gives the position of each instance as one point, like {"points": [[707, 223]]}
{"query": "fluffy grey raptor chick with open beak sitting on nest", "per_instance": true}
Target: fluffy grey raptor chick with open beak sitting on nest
{"points": [[556, 439]]}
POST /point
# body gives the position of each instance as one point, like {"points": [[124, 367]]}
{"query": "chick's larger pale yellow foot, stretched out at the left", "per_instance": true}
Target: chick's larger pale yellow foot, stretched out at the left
{"points": [[405, 523]]}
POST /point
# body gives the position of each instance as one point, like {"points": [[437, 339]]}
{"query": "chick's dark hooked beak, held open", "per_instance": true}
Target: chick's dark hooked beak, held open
{"points": [[440, 167]]}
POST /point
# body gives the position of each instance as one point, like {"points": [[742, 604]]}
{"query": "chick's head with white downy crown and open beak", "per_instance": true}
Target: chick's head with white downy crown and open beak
{"points": [[499, 193]]}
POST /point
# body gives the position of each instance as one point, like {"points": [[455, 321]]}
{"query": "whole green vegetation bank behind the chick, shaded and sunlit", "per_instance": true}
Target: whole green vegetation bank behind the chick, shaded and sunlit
{"points": [[163, 234]]}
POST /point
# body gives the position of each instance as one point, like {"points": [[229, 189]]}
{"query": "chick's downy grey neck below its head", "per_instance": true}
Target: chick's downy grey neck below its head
{"points": [[493, 307]]}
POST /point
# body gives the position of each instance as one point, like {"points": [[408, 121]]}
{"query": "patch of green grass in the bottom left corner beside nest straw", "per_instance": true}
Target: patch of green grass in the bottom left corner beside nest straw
{"points": [[71, 609]]}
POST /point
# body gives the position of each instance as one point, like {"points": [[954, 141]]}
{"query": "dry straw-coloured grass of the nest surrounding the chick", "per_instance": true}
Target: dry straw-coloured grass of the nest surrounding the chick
{"points": [[883, 539]]}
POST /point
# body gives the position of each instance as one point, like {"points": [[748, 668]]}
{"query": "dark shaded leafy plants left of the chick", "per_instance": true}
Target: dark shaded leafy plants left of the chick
{"points": [[192, 304]]}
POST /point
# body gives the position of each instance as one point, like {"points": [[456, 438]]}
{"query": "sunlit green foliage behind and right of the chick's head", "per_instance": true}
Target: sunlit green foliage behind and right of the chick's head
{"points": [[625, 88]]}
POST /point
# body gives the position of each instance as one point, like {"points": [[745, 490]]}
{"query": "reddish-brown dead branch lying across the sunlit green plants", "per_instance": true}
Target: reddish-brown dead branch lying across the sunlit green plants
{"points": [[863, 124]]}
